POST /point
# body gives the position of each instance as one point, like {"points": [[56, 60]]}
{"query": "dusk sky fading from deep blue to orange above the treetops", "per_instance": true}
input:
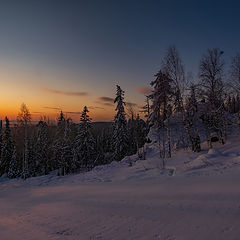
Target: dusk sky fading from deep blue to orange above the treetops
{"points": [[65, 54]]}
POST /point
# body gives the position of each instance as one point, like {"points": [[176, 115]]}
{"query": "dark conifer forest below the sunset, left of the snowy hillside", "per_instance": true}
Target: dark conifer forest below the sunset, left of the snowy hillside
{"points": [[28, 150]]}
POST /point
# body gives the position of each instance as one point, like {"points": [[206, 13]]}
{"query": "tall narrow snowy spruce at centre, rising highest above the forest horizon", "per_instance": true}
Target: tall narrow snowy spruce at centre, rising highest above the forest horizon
{"points": [[120, 134]]}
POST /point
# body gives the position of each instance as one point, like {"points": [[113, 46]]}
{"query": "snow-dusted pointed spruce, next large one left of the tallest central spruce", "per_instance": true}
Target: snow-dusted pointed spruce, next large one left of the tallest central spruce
{"points": [[84, 142]]}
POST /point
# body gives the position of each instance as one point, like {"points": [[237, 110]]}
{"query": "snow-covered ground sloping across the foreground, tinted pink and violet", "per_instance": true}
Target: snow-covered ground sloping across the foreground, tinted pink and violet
{"points": [[198, 197]]}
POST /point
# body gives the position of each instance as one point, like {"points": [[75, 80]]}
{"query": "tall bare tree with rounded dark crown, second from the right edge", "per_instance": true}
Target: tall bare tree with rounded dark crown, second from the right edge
{"points": [[211, 76]]}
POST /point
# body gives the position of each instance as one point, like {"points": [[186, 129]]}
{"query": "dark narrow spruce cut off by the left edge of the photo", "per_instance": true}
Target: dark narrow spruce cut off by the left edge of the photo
{"points": [[7, 148]]}
